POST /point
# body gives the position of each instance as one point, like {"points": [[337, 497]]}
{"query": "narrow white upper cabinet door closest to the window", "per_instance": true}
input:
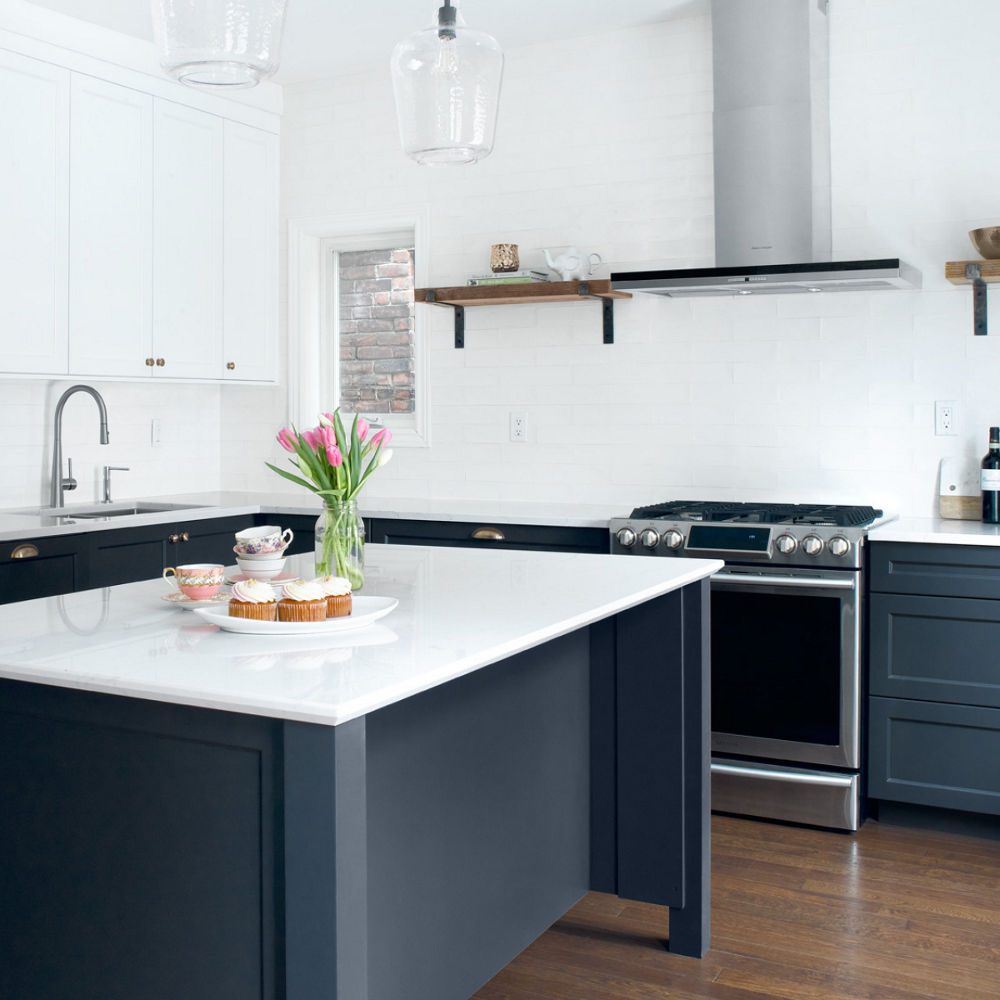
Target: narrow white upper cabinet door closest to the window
{"points": [[251, 254]]}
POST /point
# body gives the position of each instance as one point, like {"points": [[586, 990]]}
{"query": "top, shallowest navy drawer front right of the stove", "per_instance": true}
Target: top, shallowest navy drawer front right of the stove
{"points": [[935, 570]]}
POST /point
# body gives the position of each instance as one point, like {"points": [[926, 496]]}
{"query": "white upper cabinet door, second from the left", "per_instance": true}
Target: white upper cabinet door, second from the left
{"points": [[111, 230]]}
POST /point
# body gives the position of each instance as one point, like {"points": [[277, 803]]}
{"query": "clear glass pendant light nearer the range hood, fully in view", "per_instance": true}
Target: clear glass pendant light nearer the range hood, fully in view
{"points": [[447, 84]]}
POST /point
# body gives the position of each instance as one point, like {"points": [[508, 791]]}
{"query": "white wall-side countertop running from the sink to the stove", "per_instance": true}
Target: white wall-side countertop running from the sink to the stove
{"points": [[21, 523]]}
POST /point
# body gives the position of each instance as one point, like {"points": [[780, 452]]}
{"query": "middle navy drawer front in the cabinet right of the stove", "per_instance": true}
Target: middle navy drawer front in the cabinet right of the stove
{"points": [[935, 649]]}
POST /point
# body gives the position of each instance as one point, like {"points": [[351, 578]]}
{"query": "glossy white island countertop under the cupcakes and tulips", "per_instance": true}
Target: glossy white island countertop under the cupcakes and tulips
{"points": [[459, 609]]}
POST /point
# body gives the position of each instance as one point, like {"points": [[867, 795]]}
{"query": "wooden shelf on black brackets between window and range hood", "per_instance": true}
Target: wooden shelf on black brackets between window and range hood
{"points": [[458, 297]]}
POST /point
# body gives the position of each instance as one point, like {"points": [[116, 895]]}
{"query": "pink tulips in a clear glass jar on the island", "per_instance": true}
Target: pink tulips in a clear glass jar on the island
{"points": [[335, 465]]}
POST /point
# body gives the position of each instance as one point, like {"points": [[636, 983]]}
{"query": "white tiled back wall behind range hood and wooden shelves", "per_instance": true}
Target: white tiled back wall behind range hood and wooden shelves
{"points": [[606, 142]]}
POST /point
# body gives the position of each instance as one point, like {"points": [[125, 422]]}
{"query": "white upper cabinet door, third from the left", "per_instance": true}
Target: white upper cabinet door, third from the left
{"points": [[187, 242]]}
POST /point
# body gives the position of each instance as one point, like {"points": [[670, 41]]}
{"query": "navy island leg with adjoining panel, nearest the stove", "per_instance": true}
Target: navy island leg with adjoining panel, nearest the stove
{"points": [[663, 777]]}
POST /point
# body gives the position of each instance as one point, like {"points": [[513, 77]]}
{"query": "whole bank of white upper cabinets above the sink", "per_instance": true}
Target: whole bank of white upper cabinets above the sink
{"points": [[138, 224]]}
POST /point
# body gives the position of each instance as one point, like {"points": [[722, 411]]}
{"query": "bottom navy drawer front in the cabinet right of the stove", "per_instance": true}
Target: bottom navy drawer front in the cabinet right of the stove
{"points": [[936, 755]]}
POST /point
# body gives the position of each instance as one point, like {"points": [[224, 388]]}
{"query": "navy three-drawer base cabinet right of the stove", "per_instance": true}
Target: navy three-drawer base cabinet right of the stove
{"points": [[934, 706]]}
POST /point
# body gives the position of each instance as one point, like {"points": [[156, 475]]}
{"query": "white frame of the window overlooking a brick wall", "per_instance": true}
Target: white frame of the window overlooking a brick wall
{"points": [[313, 318]]}
